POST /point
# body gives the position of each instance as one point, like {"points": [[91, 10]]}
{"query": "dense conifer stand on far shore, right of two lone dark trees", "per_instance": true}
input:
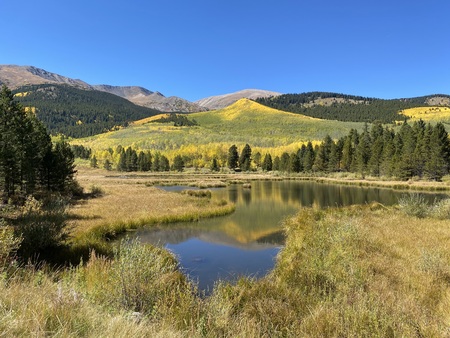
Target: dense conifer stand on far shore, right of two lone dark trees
{"points": [[417, 150]]}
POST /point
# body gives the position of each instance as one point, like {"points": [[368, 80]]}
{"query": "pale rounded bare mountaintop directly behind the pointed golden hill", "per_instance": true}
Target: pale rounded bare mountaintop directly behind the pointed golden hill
{"points": [[222, 101]]}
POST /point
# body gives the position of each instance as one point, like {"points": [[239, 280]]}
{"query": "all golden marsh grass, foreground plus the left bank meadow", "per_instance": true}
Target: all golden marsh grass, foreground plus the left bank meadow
{"points": [[360, 271]]}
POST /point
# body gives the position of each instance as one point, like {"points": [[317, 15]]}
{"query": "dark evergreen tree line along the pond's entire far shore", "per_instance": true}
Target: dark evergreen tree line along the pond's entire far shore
{"points": [[418, 150]]}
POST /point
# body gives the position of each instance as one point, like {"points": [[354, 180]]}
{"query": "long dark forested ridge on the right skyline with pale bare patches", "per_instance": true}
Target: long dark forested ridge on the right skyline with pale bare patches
{"points": [[341, 107]]}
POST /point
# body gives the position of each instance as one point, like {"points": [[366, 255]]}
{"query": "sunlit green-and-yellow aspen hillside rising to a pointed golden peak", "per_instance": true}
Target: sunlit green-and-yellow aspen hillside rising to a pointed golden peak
{"points": [[263, 128]]}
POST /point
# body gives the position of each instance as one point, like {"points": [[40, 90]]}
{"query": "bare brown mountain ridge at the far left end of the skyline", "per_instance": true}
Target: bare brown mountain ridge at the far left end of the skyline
{"points": [[15, 76]]}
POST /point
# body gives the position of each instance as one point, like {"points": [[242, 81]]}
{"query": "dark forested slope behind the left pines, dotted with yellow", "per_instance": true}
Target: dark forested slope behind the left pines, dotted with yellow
{"points": [[78, 112]]}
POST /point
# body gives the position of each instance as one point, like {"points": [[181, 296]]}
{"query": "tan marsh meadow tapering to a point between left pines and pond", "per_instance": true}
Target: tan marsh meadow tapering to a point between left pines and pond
{"points": [[128, 203]]}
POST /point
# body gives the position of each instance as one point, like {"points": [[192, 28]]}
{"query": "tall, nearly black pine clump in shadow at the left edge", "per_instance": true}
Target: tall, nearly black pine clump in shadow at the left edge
{"points": [[29, 162]]}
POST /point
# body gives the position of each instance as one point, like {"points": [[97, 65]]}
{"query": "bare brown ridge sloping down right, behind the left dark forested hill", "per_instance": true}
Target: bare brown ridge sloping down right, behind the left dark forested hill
{"points": [[155, 100]]}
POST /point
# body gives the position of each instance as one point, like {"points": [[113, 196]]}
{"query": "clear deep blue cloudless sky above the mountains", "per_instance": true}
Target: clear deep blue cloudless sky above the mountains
{"points": [[199, 48]]}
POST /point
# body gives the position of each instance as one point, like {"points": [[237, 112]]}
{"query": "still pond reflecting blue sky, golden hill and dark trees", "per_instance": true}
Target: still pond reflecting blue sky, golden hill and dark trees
{"points": [[247, 241]]}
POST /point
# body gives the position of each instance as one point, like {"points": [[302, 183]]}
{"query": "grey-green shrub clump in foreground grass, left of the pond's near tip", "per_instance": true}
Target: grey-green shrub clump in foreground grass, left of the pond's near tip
{"points": [[140, 278]]}
